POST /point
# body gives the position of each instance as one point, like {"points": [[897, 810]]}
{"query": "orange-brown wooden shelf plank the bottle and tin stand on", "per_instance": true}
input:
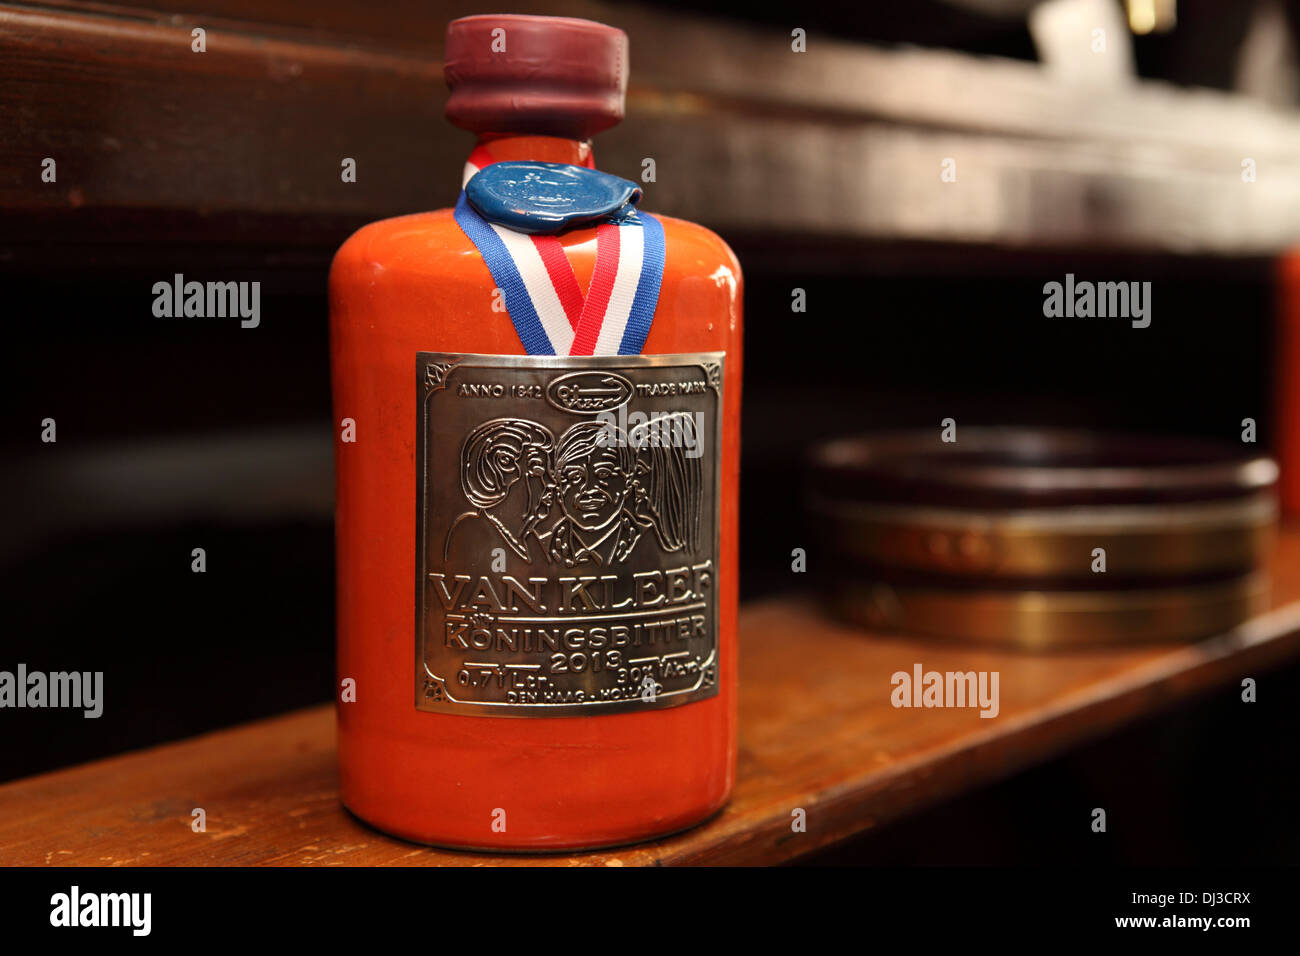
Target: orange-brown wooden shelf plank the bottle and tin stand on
{"points": [[817, 733]]}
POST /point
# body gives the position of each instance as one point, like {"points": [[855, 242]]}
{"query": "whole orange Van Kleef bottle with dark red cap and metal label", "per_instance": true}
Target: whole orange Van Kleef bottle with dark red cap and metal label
{"points": [[538, 555]]}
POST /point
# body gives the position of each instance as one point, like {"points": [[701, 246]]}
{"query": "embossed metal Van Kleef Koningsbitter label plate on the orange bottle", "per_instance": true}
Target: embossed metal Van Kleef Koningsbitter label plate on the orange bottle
{"points": [[566, 533]]}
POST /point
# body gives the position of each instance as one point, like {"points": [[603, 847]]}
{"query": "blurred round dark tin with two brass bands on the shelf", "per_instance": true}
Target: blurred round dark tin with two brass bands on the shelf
{"points": [[1043, 538]]}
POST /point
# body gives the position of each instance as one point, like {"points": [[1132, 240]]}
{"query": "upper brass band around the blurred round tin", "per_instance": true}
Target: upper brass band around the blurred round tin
{"points": [[1165, 540]]}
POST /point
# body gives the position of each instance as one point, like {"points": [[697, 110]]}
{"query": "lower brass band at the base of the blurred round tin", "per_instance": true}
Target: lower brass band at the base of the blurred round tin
{"points": [[1046, 620]]}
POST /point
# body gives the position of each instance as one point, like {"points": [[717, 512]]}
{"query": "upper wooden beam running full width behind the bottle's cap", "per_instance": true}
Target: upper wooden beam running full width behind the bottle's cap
{"points": [[244, 144]]}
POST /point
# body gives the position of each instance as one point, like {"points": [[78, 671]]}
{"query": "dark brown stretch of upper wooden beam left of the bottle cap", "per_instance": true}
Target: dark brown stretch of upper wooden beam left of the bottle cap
{"points": [[214, 146]]}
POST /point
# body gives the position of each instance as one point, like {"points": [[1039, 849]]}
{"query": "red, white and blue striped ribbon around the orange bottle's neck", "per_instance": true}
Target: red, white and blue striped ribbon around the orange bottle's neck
{"points": [[543, 296]]}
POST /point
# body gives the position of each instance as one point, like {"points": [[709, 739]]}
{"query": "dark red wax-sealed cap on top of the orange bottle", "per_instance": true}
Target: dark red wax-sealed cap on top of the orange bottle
{"points": [[548, 76]]}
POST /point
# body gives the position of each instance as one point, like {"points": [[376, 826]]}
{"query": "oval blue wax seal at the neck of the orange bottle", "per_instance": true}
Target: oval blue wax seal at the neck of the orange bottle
{"points": [[540, 198]]}
